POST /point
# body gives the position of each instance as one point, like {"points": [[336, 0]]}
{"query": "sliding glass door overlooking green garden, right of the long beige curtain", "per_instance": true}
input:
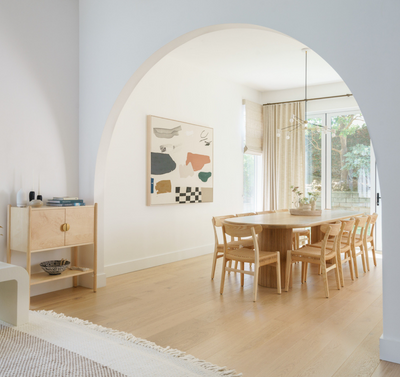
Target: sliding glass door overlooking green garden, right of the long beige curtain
{"points": [[338, 161]]}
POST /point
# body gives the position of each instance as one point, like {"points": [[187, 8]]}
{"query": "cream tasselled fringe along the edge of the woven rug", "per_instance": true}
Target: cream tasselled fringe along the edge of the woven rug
{"points": [[222, 371]]}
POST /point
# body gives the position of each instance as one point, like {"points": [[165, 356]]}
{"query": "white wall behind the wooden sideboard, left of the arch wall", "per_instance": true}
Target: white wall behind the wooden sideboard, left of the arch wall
{"points": [[39, 107]]}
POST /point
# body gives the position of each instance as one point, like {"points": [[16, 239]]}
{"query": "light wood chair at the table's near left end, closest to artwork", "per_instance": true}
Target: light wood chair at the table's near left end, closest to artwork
{"points": [[246, 255]]}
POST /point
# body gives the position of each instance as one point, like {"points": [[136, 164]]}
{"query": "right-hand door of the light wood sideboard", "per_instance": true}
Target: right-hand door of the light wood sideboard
{"points": [[81, 222]]}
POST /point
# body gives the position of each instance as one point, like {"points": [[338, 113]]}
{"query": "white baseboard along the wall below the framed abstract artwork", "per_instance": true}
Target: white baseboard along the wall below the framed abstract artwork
{"points": [[156, 260]]}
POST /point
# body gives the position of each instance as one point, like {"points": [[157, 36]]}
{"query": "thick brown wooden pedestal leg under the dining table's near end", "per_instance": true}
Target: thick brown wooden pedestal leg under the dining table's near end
{"points": [[274, 240]]}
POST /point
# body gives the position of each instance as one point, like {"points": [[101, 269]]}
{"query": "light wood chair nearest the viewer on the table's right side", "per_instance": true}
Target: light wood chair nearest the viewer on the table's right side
{"points": [[308, 254]]}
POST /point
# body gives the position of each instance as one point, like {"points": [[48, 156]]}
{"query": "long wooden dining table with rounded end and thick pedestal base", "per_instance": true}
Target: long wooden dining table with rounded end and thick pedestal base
{"points": [[277, 234]]}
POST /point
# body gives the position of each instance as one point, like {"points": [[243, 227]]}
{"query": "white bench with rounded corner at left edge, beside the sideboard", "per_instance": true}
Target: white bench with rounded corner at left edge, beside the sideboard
{"points": [[14, 294]]}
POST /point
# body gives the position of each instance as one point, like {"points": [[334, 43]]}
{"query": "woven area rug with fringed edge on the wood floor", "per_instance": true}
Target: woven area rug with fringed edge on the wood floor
{"points": [[53, 345]]}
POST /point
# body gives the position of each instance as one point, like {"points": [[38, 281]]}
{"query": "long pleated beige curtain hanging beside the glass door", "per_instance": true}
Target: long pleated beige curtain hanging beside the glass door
{"points": [[284, 159]]}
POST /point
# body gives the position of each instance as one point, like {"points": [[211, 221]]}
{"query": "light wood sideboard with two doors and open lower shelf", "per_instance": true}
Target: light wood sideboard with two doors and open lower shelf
{"points": [[32, 230]]}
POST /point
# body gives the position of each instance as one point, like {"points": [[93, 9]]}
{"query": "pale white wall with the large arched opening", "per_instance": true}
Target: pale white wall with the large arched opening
{"points": [[121, 40]]}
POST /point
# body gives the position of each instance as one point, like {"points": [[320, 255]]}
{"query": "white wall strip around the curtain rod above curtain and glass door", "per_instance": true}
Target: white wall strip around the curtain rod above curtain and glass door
{"points": [[315, 91]]}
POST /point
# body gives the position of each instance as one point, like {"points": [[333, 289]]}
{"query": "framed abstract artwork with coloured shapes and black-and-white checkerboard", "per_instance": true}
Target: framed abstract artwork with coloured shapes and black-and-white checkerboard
{"points": [[179, 162]]}
